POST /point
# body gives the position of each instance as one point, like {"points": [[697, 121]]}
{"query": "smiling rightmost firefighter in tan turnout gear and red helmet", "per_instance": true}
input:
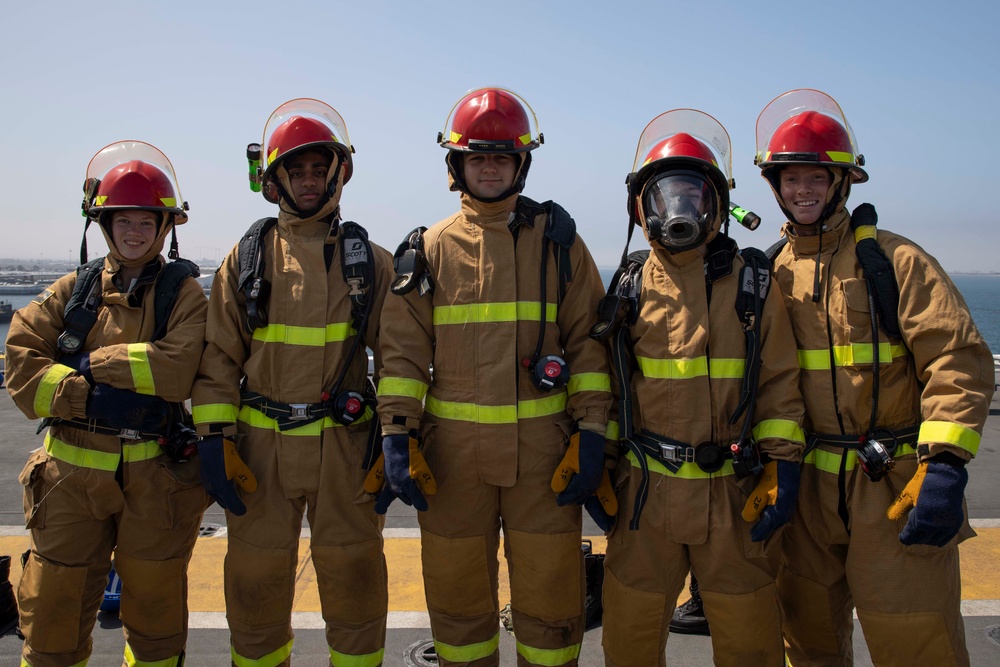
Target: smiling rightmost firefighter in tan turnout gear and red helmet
{"points": [[897, 383]]}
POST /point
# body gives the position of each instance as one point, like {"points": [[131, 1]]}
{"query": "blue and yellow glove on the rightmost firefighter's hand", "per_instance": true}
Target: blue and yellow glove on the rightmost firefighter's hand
{"points": [[934, 495]]}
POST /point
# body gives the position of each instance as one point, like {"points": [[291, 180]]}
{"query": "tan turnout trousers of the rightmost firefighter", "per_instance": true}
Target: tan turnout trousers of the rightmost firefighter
{"points": [[841, 552]]}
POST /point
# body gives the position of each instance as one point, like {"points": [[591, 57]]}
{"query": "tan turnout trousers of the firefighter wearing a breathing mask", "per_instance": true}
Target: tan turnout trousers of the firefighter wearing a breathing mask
{"points": [[691, 520]]}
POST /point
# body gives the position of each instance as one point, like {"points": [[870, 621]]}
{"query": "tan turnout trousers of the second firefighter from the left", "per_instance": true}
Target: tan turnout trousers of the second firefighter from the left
{"points": [[319, 476]]}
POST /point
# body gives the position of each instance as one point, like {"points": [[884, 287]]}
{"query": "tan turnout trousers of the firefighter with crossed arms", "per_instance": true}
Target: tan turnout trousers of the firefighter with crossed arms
{"points": [[147, 512]]}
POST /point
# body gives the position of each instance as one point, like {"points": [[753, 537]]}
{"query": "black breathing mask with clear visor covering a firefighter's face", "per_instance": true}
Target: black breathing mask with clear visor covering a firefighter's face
{"points": [[678, 209]]}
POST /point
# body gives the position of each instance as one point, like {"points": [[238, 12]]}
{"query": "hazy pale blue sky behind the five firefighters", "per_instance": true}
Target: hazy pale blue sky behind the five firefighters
{"points": [[917, 80]]}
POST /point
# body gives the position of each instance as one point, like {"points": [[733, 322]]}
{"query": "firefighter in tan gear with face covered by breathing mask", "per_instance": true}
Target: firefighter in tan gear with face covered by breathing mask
{"points": [[710, 414]]}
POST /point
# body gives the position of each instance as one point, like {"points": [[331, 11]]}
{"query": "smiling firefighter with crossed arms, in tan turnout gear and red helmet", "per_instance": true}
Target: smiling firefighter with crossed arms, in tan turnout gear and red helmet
{"points": [[107, 362]]}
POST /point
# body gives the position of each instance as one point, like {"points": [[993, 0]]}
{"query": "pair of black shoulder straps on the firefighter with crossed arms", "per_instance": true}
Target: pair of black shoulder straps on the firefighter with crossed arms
{"points": [[80, 313]]}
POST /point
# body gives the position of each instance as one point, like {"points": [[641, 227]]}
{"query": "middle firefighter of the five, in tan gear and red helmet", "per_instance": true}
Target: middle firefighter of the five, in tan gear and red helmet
{"points": [[508, 432]]}
